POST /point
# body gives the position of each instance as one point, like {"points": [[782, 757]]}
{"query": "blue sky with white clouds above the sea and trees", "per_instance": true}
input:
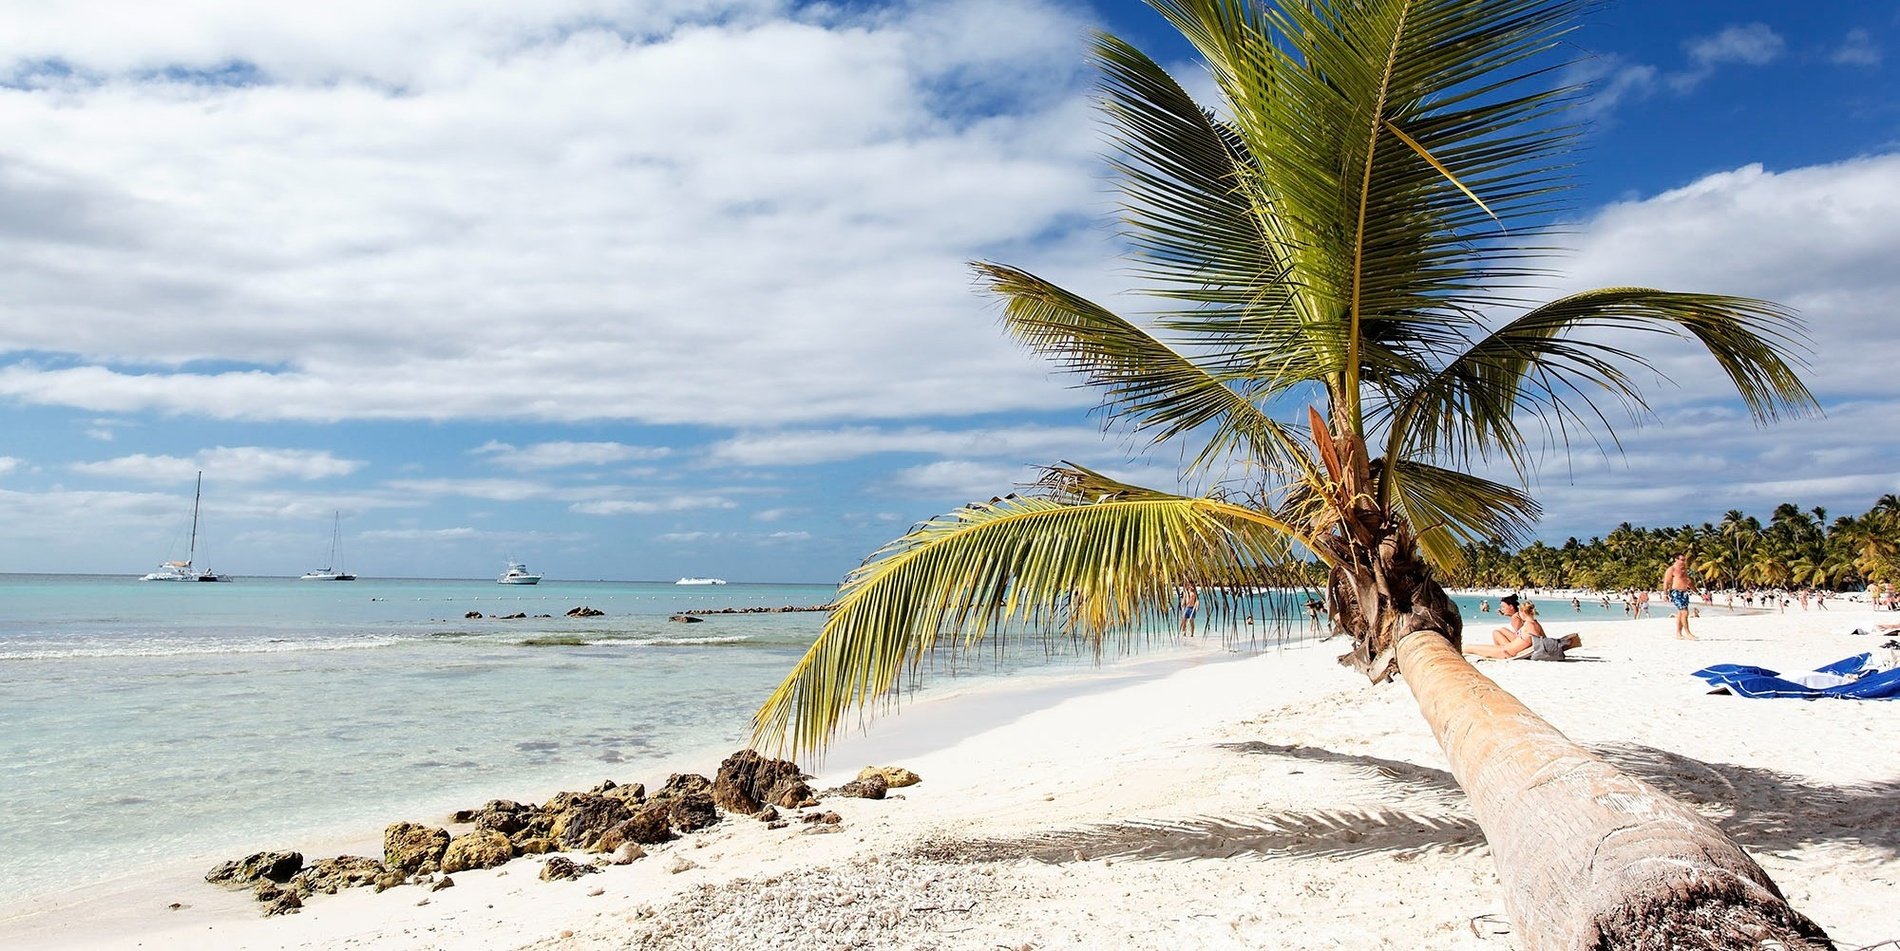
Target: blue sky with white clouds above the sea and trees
{"points": [[639, 289]]}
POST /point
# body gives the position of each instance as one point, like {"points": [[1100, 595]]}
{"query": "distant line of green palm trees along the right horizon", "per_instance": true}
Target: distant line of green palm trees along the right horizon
{"points": [[1796, 550]]}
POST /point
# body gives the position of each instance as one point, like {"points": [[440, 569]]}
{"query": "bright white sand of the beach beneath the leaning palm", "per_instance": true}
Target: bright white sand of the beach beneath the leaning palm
{"points": [[1270, 802]]}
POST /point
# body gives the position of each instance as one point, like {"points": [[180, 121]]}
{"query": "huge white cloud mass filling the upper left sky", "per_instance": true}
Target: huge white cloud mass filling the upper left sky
{"points": [[679, 214]]}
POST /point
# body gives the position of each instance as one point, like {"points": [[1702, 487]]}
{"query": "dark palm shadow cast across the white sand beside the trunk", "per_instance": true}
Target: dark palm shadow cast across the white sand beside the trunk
{"points": [[1758, 808]]}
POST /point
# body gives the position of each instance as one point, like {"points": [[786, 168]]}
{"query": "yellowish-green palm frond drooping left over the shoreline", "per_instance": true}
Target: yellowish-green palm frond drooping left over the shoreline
{"points": [[1093, 570]]}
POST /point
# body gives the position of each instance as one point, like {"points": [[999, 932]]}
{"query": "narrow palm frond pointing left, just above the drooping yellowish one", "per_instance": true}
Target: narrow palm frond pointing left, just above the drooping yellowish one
{"points": [[1143, 379]]}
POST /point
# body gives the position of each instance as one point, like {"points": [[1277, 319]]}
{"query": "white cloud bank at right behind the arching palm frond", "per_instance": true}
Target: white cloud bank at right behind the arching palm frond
{"points": [[1819, 240]]}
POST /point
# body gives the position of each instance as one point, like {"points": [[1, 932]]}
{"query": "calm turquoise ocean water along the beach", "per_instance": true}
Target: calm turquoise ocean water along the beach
{"points": [[153, 724]]}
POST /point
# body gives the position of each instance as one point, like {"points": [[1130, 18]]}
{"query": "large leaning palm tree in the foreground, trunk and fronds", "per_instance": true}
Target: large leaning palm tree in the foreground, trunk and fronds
{"points": [[1342, 252]]}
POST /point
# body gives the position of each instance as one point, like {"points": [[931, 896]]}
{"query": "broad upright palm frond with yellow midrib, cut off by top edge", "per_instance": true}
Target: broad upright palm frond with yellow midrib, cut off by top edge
{"points": [[1375, 126]]}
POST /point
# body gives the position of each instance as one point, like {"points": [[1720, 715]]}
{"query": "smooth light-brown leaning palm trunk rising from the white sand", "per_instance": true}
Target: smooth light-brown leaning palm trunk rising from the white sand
{"points": [[1589, 857]]}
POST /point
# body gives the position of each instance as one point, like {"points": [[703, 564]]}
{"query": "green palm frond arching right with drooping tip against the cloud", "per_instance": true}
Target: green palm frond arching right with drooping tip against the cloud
{"points": [[1538, 367]]}
